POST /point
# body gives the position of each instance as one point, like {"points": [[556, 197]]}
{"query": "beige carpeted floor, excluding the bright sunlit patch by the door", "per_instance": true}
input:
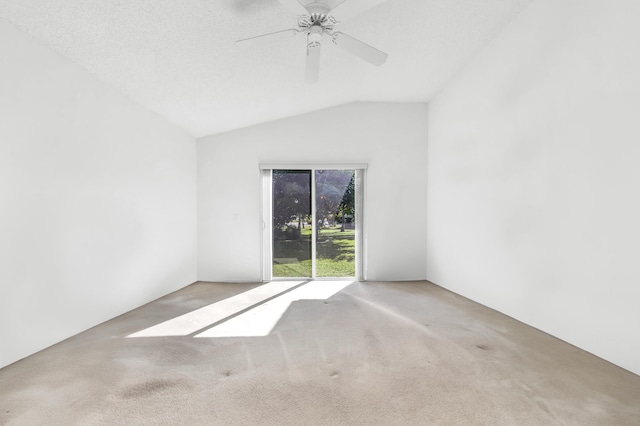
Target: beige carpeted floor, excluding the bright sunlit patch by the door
{"points": [[373, 354]]}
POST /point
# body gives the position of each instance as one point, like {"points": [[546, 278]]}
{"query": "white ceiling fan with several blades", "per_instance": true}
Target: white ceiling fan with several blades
{"points": [[315, 20]]}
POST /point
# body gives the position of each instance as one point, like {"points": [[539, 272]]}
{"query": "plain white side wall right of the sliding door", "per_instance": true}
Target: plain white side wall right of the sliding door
{"points": [[533, 176]]}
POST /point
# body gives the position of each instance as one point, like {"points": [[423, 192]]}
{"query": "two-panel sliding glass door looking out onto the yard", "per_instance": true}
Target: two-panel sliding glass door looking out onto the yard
{"points": [[314, 220]]}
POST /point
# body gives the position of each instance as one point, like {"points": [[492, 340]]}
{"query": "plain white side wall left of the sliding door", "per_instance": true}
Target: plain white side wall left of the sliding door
{"points": [[97, 200]]}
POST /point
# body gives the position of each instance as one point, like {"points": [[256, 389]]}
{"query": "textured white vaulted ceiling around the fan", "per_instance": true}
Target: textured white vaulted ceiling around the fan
{"points": [[178, 57]]}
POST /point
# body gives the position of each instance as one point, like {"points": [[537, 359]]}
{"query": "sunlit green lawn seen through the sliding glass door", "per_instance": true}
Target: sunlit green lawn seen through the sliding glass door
{"points": [[335, 254]]}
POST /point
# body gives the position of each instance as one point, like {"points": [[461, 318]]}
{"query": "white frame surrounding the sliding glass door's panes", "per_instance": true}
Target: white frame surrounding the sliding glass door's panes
{"points": [[266, 170]]}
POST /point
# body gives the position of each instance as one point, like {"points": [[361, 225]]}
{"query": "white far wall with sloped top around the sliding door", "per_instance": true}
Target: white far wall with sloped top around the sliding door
{"points": [[391, 138]]}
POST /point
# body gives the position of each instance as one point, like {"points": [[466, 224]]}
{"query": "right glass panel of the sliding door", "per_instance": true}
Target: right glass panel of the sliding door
{"points": [[335, 230]]}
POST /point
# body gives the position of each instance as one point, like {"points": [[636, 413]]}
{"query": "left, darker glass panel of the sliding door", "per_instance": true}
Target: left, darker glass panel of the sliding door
{"points": [[291, 223]]}
